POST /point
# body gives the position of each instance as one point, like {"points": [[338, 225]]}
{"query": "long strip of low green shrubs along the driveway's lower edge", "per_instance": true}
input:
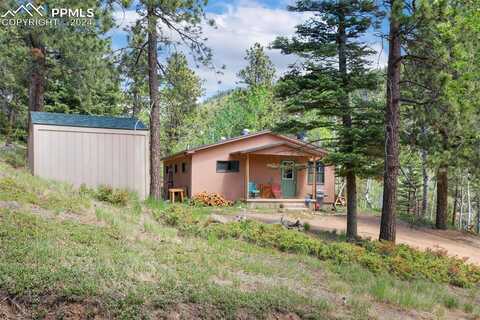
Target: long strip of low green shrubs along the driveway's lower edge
{"points": [[378, 257]]}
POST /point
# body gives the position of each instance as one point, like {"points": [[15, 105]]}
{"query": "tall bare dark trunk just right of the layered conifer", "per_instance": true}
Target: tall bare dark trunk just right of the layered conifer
{"points": [[392, 120]]}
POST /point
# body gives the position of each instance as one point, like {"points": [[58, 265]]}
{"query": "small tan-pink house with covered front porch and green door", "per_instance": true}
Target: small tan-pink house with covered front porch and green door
{"points": [[261, 167]]}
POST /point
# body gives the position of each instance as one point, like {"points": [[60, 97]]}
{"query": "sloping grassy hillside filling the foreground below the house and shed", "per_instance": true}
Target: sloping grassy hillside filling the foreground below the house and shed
{"points": [[68, 255]]}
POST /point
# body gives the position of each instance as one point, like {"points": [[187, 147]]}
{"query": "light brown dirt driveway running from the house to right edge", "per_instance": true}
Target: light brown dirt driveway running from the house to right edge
{"points": [[455, 242]]}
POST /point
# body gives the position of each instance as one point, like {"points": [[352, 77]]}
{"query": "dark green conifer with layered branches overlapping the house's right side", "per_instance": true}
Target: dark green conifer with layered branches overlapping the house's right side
{"points": [[320, 89]]}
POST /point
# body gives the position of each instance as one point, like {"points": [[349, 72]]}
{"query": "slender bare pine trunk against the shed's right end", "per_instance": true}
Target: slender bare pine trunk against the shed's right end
{"points": [[155, 151]]}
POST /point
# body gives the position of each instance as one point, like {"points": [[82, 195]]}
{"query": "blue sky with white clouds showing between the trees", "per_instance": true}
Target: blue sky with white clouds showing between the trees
{"points": [[239, 24]]}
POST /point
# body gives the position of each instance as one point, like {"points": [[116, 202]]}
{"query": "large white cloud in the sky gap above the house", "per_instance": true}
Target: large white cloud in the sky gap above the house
{"points": [[237, 29]]}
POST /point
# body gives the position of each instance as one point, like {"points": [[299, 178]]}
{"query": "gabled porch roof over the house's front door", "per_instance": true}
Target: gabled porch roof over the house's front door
{"points": [[300, 150]]}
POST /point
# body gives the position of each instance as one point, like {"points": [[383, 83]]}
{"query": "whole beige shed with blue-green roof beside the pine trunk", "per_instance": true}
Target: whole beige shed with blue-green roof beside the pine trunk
{"points": [[90, 150]]}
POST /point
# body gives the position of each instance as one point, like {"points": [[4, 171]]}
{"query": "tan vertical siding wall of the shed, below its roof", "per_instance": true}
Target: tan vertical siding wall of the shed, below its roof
{"points": [[92, 156]]}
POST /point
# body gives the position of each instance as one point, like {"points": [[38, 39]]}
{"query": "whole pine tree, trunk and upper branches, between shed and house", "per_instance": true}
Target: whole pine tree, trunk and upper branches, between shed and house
{"points": [[183, 19]]}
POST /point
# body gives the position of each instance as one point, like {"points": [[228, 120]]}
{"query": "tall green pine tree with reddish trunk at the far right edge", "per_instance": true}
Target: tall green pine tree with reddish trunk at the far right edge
{"points": [[438, 67]]}
